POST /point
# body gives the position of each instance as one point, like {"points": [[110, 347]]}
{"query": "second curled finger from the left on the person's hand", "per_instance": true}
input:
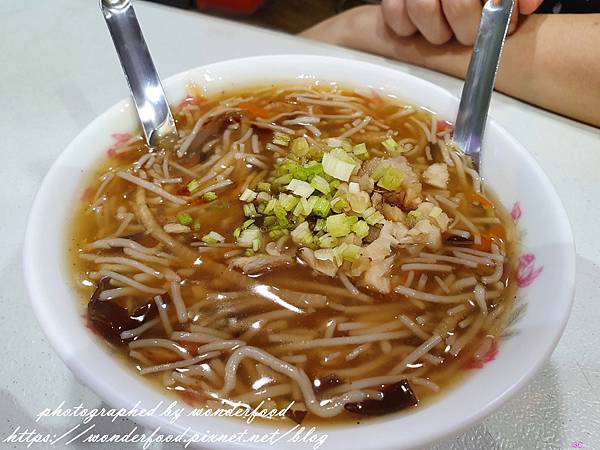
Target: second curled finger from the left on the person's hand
{"points": [[428, 17]]}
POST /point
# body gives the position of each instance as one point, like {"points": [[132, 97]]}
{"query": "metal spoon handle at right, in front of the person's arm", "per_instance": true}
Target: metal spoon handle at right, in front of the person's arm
{"points": [[481, 75]]}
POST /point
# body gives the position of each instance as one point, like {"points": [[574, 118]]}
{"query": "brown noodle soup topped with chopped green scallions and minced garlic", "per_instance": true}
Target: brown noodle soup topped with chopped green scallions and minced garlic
{"points": [[305, 245]]}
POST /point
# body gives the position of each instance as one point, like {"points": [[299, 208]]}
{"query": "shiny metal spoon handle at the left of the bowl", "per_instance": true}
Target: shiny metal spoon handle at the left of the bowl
{"points": [[140, 73]]}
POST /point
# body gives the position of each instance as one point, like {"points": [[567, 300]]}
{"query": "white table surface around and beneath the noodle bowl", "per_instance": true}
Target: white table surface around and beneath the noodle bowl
{"points": [[58, 71]]}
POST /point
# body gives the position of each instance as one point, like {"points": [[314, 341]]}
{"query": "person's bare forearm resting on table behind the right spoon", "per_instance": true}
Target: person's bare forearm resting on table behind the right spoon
{"points": [[551, 61]]}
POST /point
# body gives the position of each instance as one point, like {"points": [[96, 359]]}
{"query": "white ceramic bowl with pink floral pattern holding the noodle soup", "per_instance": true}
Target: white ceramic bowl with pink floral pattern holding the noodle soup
{"points": [[507, 167]]}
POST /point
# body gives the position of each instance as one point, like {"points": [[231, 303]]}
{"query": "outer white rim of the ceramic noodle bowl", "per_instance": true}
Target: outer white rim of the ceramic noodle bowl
{"points": [[112, 395]]}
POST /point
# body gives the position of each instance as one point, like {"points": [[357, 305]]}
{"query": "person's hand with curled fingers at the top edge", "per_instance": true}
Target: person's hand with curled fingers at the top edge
{"points": [[439, 20]]}
